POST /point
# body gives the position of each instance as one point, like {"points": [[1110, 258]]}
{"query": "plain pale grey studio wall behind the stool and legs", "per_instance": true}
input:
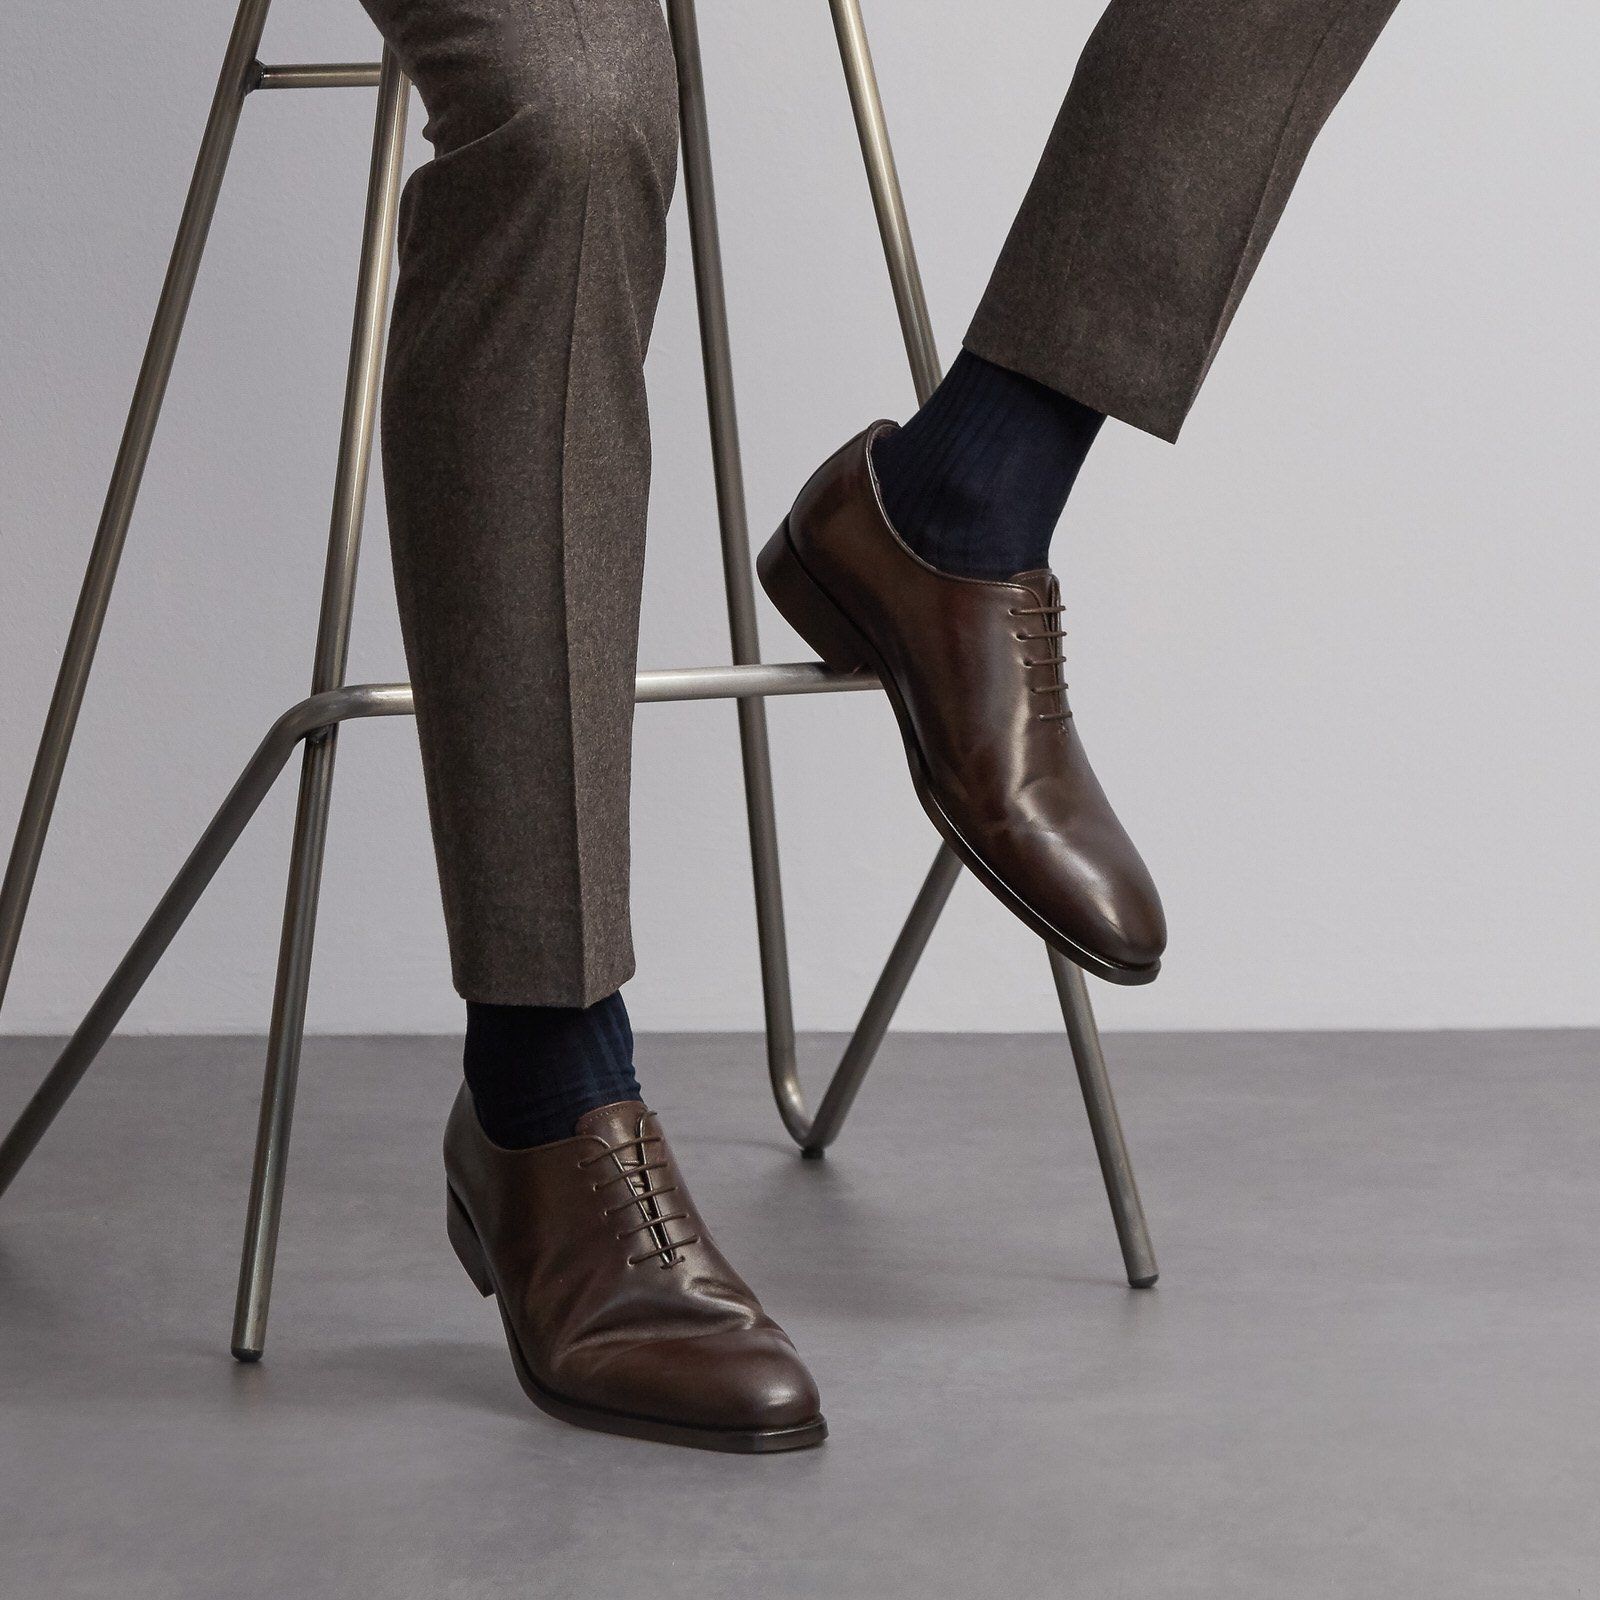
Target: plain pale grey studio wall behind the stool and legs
{"points": [[1335, 655]]}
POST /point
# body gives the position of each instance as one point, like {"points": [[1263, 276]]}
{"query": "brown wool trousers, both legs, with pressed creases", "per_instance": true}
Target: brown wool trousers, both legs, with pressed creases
{"points": [[514, 426]]}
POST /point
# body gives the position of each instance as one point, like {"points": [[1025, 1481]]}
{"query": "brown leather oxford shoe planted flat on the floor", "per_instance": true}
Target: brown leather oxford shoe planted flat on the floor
{"points": [[620, 1311]]}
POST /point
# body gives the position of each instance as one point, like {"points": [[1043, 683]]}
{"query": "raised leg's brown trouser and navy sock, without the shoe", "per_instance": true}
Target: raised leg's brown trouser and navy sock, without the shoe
{"points": [[1169, 167]]}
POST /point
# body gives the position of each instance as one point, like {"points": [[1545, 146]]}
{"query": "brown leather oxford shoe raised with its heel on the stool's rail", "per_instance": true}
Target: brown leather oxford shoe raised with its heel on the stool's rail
{"points": [[974, 673]]}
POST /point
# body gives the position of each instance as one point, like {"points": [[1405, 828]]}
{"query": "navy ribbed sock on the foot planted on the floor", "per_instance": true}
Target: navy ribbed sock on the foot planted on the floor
{"points": [[535, 1070]]}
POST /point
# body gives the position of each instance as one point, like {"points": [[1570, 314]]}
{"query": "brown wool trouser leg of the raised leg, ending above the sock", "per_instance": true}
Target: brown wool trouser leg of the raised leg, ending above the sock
{"points": [[1164, 178]]}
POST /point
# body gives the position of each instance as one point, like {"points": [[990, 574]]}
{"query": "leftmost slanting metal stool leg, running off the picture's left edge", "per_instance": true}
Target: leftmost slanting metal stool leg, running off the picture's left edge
{"points": [[233, 86]]}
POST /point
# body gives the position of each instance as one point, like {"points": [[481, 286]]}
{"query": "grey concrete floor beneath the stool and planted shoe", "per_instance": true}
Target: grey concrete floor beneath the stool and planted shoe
{"points": [[1369, 1369]]}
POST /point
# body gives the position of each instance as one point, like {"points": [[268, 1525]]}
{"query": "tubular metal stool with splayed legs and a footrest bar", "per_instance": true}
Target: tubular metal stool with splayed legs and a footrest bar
{"points": [[316, 721]]}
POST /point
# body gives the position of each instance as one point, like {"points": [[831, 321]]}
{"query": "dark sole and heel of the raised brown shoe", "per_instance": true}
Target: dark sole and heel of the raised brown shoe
{"points": [[823, 625]]}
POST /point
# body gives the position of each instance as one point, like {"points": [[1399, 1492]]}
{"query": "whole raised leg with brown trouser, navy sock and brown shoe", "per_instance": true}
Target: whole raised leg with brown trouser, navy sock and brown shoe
{"points": [[1167, 170]]}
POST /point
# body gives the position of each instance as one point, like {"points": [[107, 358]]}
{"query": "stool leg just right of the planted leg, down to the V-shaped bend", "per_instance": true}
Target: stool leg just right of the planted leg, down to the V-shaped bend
{"points": [[738, 578]]}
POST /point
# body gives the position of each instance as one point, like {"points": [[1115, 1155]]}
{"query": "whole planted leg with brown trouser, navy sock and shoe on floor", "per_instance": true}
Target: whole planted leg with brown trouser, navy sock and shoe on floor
{"points": [[516, 466]]}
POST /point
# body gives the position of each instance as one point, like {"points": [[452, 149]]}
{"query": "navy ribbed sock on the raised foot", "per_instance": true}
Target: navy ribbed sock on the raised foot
{"points": [[978, 479]]}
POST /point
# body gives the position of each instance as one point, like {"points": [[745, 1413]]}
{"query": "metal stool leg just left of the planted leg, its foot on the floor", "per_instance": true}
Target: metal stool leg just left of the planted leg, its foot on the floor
{"points": [[334, 636]]}
